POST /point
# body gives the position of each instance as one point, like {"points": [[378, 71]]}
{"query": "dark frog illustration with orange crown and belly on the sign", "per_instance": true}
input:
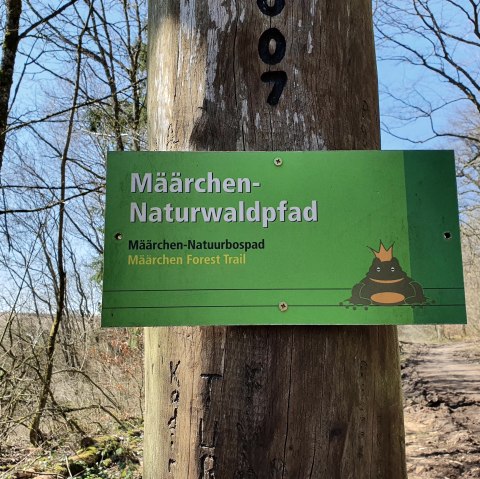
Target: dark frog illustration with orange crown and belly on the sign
{"points": [[386, 284]]}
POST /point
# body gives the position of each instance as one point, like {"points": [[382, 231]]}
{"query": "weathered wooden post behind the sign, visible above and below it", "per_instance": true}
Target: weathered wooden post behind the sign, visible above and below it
{"points": [[268, 402]]}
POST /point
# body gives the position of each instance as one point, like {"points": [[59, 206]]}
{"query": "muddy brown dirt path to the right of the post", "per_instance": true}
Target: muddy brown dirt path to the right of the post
{"points": [[442, 413]]}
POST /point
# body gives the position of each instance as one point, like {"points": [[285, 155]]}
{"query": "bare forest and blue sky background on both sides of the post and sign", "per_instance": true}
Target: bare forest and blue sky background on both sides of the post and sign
{"points": [[72, 87]]}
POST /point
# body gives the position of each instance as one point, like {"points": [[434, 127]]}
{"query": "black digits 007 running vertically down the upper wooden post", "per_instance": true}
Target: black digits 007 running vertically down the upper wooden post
{"points": [[278, 78]]}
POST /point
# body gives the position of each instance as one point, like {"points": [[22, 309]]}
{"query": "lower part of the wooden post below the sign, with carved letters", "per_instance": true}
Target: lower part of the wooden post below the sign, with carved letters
{"points": [[281, 402]]}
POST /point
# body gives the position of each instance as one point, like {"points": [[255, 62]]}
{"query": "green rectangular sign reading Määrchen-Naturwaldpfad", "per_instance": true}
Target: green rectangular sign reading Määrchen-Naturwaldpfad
{"points": [[232, 238]]}
